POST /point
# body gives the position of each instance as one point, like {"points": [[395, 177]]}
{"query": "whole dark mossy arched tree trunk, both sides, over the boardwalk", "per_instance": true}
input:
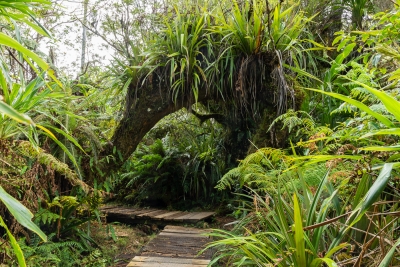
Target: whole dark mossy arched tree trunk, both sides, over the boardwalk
{"points": [[147, 104]]}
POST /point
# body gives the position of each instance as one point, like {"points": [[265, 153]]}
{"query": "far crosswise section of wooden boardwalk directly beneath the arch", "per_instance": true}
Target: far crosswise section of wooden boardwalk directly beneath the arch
{"points": [[138, 215]]}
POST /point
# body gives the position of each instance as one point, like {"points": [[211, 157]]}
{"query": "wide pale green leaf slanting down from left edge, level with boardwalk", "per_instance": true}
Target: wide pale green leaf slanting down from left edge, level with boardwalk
{"points": [[20, 213]]}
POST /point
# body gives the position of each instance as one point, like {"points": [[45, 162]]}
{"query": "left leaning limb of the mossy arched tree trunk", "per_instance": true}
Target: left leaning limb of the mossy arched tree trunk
{"points": [[144, 107]]}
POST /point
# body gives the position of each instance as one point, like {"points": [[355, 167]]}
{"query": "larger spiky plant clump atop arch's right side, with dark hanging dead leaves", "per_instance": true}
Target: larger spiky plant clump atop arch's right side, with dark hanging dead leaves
{"points": [[255, 39]]}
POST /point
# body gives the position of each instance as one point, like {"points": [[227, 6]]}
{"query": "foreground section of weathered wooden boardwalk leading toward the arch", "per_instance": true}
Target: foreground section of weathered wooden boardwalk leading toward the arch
{"points": [[175, 246]]}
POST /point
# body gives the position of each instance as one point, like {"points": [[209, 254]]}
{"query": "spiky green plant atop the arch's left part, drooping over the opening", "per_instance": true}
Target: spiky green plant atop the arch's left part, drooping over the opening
{"points": [[181, 51]]}
